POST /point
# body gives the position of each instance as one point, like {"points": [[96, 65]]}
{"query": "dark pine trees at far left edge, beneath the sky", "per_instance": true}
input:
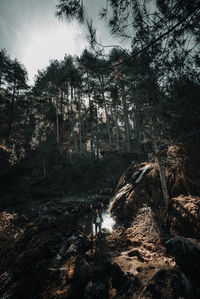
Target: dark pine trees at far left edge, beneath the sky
{"points": [[13, 106]]}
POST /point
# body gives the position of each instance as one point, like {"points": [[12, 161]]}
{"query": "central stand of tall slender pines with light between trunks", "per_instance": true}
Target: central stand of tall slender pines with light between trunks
{"points": [[93, 106]]}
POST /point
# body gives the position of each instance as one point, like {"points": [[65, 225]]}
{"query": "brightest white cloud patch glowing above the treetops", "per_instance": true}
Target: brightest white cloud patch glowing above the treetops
{"points": [[52, 42]]}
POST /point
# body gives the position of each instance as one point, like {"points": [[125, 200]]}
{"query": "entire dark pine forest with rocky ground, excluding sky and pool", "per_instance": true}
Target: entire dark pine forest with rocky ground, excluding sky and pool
{"points": [[115, 125]]}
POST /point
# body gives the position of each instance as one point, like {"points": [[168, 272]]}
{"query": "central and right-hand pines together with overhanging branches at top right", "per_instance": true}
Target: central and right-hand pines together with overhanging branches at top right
{"points": [[126, 98]]}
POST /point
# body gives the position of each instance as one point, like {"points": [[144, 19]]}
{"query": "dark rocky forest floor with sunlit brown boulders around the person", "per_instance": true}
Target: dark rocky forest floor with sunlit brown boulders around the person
{"points": [[48, 249]]}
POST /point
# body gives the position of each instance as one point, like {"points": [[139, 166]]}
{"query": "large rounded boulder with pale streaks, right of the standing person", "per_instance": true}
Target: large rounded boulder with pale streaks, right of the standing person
{"points": [[137, 186]]}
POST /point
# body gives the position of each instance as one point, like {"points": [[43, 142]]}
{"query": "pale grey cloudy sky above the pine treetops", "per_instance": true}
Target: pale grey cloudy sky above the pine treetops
{"points": [[30, 32]]}
